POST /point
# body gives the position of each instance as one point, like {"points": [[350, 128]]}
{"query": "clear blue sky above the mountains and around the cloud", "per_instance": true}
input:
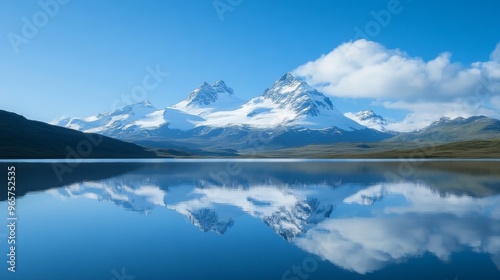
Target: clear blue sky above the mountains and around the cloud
{"points": [[86, 55]]}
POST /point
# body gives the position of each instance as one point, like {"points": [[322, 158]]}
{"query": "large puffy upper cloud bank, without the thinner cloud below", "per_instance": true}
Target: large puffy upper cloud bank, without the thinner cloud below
{"points": [[366, 69]]}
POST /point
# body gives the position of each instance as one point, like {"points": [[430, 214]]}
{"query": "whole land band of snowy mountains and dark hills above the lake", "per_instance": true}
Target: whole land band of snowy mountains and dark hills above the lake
{"points": [[213, 121]]}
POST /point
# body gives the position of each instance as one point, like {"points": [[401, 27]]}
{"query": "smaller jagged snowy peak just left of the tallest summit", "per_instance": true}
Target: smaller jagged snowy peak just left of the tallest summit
{"points": [[209, 98]]}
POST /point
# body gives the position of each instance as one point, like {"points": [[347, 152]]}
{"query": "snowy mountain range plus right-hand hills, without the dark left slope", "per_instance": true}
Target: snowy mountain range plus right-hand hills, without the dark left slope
{"points": [[289, 113]]}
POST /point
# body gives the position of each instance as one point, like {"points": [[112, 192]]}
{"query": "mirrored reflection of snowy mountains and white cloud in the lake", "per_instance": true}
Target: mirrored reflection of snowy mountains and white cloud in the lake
{"points": [[331, 210]]}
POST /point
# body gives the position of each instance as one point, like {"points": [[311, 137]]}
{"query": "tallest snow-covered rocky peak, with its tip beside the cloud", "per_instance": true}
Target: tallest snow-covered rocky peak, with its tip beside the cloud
{"points": [[288, 102]]}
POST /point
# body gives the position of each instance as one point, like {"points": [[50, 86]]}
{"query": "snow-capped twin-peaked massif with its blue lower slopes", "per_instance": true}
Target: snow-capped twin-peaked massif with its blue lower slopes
{"points": [[289, 113]]}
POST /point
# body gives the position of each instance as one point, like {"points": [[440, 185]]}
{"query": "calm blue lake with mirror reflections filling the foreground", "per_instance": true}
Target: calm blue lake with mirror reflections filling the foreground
{"points": [[254, 220]]}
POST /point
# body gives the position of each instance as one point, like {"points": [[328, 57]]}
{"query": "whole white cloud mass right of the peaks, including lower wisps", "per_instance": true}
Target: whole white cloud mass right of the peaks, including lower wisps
{"points": [[366, 69]]}
